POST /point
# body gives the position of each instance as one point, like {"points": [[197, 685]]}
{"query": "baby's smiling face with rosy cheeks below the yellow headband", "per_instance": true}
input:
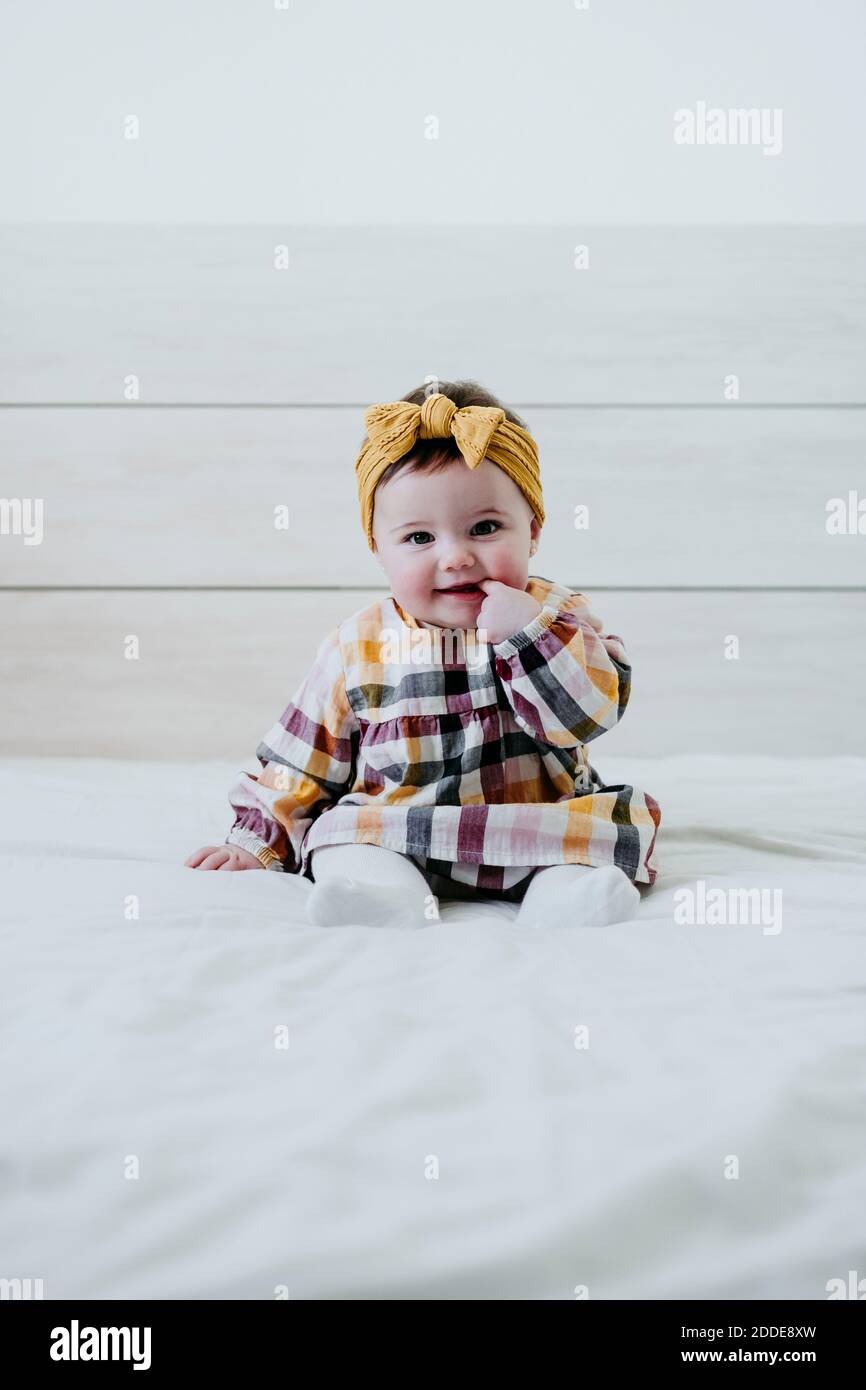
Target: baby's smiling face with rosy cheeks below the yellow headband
{"points": [[452, 528]]}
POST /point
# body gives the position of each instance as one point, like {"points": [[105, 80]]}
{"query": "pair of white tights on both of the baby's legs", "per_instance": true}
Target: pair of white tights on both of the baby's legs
{"points": [[369, 886]]}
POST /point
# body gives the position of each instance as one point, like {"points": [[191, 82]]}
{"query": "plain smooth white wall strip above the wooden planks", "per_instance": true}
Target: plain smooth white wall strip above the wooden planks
{"points": [[316, 115]]}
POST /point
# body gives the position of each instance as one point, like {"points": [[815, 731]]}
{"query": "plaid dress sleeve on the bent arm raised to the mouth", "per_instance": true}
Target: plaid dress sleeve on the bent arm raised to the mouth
{"points": [[565, 679]]}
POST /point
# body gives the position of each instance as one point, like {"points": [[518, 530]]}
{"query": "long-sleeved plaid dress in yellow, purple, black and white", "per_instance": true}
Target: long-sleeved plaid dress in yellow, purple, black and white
{"points": [[468, 758]]}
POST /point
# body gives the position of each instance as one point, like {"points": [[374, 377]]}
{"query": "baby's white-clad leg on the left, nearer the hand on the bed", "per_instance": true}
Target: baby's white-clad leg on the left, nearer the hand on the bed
{"points": [[366, 886]]}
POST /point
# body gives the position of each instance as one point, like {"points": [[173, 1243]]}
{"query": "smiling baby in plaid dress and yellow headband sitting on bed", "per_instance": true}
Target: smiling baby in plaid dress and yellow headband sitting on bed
{"points": [[436, 749]]}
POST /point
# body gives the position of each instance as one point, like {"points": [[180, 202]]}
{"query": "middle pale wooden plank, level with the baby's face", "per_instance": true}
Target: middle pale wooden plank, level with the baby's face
{"points": [[675, 498]]}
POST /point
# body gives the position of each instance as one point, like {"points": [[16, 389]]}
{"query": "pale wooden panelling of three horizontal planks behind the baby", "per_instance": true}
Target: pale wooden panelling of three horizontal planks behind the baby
{"points": [[159, 514]]}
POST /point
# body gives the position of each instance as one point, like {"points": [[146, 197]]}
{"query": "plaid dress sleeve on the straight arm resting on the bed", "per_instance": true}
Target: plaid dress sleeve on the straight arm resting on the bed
{"points": [[308, 762]]}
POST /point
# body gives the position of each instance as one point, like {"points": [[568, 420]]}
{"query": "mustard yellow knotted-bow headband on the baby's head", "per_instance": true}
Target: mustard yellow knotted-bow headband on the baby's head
{"points": [[480, 432]]}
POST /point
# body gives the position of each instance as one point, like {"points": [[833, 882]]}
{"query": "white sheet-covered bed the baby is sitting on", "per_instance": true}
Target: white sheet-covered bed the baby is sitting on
{"points": [[308, 1168]]}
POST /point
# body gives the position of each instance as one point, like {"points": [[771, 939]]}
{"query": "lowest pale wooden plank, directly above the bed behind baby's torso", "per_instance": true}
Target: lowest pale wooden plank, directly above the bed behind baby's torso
{"points": [[216, 671]]}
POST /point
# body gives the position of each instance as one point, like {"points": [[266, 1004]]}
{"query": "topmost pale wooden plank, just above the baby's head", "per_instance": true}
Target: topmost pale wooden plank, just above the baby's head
{"points": [[366, 313]]}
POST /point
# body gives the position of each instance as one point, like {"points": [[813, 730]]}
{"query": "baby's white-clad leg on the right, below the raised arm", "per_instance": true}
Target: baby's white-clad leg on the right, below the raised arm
{"points": [[578, 896]]}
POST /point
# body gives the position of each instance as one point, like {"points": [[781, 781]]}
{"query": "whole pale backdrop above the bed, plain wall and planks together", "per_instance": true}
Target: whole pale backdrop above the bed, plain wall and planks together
{"points": [[263, 129]]}
